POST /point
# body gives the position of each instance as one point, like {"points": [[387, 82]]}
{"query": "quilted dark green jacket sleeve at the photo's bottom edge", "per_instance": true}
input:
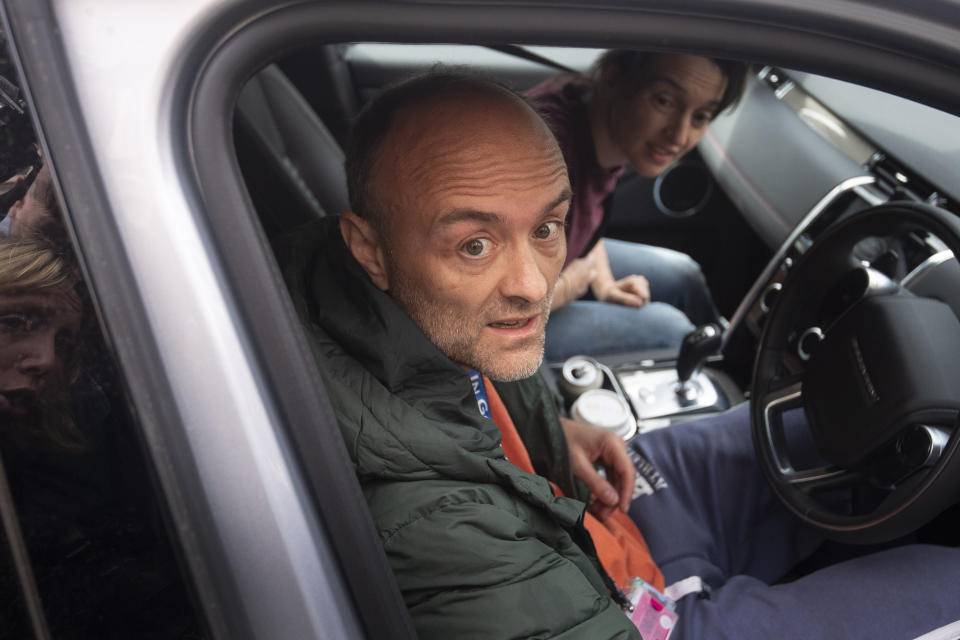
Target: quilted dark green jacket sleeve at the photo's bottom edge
{"points": [[474, 570]]}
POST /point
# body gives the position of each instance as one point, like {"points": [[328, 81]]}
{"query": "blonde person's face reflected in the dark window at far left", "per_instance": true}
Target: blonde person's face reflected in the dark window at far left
{"points": [[38, 335]]}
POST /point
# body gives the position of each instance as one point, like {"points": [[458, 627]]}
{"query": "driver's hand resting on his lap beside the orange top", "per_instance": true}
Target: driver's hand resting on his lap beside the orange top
{"points": [[591, 445]]}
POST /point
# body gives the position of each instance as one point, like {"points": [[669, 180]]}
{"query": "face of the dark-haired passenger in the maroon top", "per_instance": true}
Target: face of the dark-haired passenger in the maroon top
{"points": [[658, 125]]}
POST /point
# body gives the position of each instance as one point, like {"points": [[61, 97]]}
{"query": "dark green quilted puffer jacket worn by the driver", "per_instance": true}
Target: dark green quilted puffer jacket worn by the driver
{"points": [[479, 548]]}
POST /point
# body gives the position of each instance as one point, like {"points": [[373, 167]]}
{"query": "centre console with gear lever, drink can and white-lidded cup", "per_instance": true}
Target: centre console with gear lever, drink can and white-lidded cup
{"points": [[647, 391]]}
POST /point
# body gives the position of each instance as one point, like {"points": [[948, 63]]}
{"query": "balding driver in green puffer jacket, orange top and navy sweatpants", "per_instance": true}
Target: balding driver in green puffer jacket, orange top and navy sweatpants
{"points": [[426, 308]]}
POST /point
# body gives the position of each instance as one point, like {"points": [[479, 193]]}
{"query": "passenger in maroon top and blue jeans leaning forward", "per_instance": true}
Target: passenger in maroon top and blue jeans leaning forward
{"points": [[644, 110]]}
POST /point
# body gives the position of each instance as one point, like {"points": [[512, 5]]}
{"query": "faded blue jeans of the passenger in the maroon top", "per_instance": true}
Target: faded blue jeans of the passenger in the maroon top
{"points": [[679, 297]]}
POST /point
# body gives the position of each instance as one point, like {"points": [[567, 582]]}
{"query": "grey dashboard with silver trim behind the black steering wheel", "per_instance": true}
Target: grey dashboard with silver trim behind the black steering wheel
{"points": [[802, 152]]}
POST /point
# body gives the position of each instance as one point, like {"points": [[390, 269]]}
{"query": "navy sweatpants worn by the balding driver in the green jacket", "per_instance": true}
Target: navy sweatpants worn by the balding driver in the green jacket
{"points": [[718, 519]]}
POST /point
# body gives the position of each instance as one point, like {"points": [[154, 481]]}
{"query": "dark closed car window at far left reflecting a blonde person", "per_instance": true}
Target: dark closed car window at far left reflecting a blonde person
{"points": [[86, 551]]}
